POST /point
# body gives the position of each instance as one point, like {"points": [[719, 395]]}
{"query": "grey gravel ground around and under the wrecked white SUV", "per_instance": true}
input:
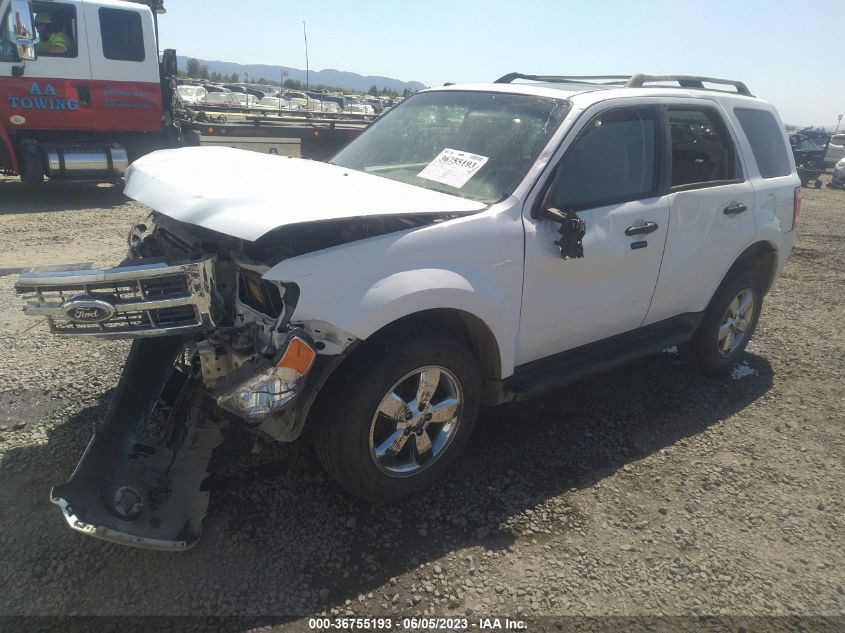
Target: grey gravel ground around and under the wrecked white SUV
{"points": [[647, 490]]}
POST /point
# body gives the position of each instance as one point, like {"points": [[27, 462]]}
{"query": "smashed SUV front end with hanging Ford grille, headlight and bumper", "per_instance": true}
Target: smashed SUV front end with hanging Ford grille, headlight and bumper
{"points": [[210, 334]]}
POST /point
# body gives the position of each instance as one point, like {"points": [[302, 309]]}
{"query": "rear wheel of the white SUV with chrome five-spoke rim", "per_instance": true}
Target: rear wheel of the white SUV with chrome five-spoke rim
{"points": [[728, 324]]}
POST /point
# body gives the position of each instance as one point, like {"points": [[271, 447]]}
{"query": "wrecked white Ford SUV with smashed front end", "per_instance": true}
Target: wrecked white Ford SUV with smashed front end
{"points": [[478, 244]]}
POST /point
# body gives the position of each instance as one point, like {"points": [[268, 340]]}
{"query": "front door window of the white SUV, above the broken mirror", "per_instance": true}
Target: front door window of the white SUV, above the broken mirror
{"points": [[612, 160]]}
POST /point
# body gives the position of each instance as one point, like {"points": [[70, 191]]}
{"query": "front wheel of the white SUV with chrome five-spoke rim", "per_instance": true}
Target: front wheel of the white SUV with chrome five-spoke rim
{"points": [[399, 418]]}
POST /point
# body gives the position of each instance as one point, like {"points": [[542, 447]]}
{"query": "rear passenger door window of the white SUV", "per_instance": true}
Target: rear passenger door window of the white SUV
{"points": [[702, 151]]}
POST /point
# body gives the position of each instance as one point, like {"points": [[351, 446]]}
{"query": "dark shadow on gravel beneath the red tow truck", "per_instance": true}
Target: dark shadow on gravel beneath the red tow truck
{"points": [[16, 197]]}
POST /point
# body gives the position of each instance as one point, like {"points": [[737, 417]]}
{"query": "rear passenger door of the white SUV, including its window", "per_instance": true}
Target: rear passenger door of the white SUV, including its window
{"points": [[711, 217]]}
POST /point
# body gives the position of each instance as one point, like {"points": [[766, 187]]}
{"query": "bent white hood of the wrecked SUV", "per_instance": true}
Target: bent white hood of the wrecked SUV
{"points": [[246, 194]]}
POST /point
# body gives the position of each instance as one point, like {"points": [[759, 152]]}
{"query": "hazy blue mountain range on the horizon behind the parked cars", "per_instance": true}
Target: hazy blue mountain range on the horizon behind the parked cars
{"points": [[328, 77]]}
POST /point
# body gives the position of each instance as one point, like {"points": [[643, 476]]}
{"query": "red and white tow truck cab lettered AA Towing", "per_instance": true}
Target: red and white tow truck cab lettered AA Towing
{"points": [[81, 88]]}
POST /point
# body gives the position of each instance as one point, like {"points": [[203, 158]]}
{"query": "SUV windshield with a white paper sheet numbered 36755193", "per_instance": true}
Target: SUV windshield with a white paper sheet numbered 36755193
{"points": [[476, 145]]}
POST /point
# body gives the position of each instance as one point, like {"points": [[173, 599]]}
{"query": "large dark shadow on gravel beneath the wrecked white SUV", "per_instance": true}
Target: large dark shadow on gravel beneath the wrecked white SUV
{"points": [[282, 539]]}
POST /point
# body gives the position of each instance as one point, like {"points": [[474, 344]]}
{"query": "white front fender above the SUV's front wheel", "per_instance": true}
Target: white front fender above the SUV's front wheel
{"points": [[360, 287]]}
